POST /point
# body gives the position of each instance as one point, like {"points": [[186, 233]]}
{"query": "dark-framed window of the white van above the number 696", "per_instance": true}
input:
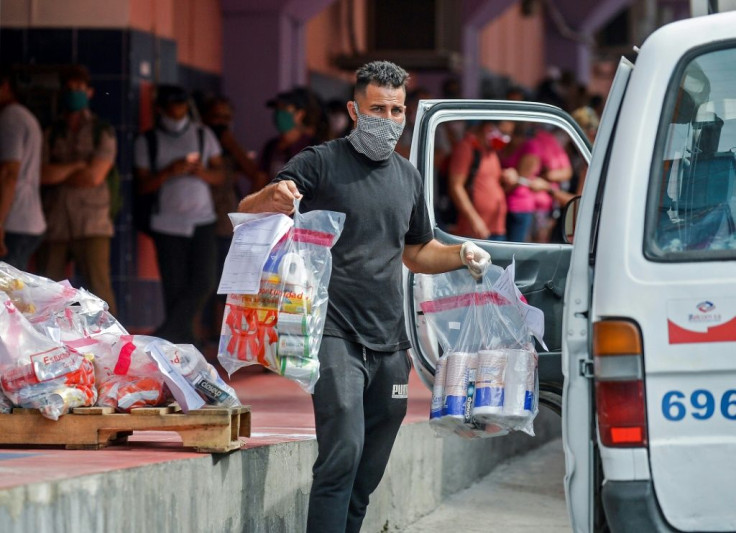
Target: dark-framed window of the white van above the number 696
{"points": [[693, 215]]}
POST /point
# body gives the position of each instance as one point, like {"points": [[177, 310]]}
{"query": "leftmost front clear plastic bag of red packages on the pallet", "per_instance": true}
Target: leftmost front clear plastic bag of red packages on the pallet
{"points": [[39, 372]]}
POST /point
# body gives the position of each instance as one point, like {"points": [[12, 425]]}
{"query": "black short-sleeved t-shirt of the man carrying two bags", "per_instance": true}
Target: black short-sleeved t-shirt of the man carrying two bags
{"points": [[384, 208]]}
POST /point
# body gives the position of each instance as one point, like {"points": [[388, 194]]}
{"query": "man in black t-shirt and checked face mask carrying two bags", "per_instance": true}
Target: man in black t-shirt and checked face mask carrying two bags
{"points": [[360, 398]]}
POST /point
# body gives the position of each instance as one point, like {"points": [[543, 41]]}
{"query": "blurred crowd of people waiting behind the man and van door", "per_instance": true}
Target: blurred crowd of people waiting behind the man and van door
{"points": [[60, 190]]}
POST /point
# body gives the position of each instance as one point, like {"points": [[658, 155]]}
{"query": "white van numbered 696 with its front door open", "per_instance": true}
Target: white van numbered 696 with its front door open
{"points": [[640, 312]]}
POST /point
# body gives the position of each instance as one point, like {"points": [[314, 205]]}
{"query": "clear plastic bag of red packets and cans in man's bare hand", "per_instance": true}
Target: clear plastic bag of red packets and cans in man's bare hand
{"points": [[281, 326]]}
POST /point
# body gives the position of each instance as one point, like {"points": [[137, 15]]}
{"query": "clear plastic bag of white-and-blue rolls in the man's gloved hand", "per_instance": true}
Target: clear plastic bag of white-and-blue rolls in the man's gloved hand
{"points": [[486, 381]]}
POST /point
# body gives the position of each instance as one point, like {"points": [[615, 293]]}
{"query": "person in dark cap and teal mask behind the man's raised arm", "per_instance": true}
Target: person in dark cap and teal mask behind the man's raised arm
{"points": [[289, 115]]}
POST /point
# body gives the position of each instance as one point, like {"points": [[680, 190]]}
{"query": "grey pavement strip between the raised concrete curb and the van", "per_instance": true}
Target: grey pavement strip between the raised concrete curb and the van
{"points": [[523, 495]]}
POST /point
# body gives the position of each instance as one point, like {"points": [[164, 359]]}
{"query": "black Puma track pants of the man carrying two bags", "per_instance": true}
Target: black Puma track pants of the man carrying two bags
{"points": [[359, 402]]}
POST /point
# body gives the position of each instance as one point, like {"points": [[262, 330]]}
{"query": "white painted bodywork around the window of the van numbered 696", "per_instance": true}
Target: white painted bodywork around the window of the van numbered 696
{"points": [[691, 460]]}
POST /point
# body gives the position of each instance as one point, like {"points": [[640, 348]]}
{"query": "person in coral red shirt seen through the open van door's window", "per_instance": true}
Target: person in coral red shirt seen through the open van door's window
{"points": [[475, 184]]}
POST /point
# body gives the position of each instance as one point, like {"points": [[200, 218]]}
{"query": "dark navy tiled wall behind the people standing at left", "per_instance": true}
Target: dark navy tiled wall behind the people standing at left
{"points": [[118, 61]]}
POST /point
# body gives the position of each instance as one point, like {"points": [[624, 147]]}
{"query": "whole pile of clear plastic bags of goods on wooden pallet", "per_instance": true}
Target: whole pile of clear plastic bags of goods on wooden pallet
{"points": [[60, 349]]}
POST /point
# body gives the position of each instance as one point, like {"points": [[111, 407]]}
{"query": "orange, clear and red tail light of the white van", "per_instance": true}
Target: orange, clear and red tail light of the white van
{"points": [[619, 384]]}
